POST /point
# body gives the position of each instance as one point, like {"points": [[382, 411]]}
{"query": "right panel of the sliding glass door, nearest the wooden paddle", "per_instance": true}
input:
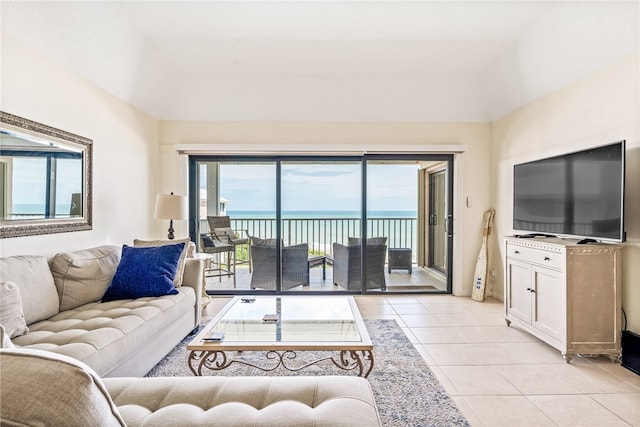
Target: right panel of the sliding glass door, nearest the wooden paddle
{"points": [[397, 216]]}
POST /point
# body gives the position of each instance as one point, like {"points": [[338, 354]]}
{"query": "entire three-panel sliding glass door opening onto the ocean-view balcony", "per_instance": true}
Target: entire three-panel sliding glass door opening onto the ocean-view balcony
{"points": [[295, 224]]}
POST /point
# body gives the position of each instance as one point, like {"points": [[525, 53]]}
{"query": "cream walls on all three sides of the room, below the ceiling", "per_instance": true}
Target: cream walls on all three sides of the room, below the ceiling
{"points": [[130, 168]]}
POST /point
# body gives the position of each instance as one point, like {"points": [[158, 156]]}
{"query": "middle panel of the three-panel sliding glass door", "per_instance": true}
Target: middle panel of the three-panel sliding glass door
{"points": [[321, 214]]}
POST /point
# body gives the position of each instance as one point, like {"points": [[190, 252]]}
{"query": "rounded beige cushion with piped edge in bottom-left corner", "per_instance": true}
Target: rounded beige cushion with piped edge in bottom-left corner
{"points": [[41, 388]]}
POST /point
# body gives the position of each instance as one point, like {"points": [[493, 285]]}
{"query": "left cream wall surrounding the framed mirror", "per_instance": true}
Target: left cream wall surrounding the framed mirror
{"points": [[124, 148]]}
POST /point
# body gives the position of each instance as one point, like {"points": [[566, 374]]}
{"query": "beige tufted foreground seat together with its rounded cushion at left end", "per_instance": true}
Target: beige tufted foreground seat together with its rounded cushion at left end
{"points": [[44, 388]]}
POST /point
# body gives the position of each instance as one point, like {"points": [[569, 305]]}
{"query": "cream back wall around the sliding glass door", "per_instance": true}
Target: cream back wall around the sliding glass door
{"points": [[472, 175]]}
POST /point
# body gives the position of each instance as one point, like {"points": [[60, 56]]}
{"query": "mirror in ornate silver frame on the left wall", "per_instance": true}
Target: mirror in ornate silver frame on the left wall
{"points": [[45, 179]]}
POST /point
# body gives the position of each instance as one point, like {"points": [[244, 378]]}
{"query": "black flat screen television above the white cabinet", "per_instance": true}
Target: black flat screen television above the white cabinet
{"points": [[577, 195]]}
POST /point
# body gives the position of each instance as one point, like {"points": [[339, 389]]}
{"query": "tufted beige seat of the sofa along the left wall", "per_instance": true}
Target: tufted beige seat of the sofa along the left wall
{"points": [[101, 334]]}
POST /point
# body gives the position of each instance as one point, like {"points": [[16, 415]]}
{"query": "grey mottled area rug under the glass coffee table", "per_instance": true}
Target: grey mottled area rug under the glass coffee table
{"points": [[406, 391]]}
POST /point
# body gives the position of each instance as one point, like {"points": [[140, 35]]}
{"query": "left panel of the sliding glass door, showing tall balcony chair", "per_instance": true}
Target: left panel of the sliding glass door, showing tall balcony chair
{"points": [[244, 194]]}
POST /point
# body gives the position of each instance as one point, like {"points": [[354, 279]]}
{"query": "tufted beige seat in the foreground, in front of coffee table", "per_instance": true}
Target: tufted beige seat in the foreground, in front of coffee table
{"points": [[324, 401]]}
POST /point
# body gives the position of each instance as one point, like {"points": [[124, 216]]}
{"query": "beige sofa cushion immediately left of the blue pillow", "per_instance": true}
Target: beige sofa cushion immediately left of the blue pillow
{"points": [[83, 276]]}
